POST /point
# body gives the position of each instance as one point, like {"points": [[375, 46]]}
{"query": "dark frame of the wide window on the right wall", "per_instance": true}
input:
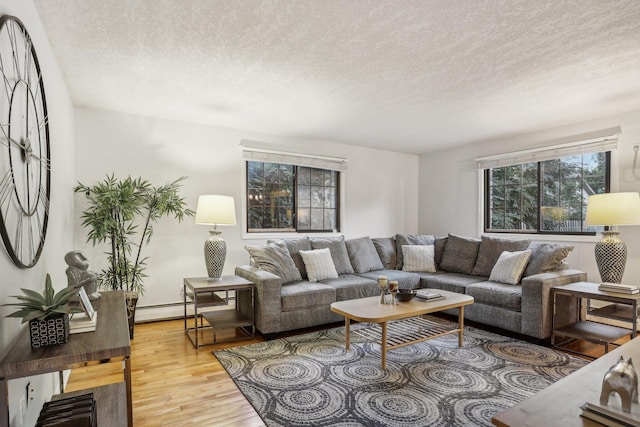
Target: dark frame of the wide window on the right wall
{"points": [[486, 202]]}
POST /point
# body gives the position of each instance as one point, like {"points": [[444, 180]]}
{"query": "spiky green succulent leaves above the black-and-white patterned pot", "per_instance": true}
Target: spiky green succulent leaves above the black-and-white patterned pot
{"points": [[38, 306]]}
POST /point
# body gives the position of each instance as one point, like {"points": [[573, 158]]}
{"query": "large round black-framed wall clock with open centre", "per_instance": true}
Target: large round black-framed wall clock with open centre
{"points": [[25, 158]]}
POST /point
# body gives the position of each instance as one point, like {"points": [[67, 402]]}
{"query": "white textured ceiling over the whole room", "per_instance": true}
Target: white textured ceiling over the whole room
{"points": [[410, 76]]}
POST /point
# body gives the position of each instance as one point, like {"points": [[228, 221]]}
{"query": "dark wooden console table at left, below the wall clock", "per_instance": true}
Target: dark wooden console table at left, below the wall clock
{"points": [[108, 343]]}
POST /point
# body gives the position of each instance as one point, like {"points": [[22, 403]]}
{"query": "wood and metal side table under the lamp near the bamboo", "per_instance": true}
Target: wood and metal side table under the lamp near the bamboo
{"points": [[203, 292]]}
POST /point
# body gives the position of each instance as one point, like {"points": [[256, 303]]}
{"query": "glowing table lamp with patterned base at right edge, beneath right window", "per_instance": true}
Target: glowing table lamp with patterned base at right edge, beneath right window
{"points": [[612, 209]]}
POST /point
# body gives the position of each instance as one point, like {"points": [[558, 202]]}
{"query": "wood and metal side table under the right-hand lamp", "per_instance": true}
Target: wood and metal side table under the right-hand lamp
{"points": [[624, 307]]}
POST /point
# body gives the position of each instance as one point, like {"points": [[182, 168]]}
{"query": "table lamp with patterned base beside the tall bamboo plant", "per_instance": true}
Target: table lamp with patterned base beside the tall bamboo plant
{"points": [[215, 210]]}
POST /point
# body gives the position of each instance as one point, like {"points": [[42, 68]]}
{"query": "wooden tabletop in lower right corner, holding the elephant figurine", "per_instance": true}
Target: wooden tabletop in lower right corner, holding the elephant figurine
{"points": [[559, 404]]}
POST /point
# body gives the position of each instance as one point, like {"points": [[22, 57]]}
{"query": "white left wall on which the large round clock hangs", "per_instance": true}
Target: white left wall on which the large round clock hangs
{"points": [[60, 232]]}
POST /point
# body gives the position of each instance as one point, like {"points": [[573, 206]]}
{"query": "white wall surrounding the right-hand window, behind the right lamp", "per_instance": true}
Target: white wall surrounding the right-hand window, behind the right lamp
{"points": [[450, 191]]}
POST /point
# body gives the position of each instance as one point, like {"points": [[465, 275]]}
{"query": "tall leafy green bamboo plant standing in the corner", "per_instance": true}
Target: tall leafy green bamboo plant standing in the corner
{"points": [[122, 213]]}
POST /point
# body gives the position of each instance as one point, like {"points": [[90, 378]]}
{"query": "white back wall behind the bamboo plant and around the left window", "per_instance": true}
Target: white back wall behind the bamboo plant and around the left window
{"points": [[380, 198]]}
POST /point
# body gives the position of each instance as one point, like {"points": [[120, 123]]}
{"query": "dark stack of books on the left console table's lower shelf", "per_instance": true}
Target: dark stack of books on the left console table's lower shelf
{"points": [[78, 411]]}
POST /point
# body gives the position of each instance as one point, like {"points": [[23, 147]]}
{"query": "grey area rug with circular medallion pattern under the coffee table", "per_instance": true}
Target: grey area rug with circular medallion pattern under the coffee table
{"points": [[312, 380]]}
